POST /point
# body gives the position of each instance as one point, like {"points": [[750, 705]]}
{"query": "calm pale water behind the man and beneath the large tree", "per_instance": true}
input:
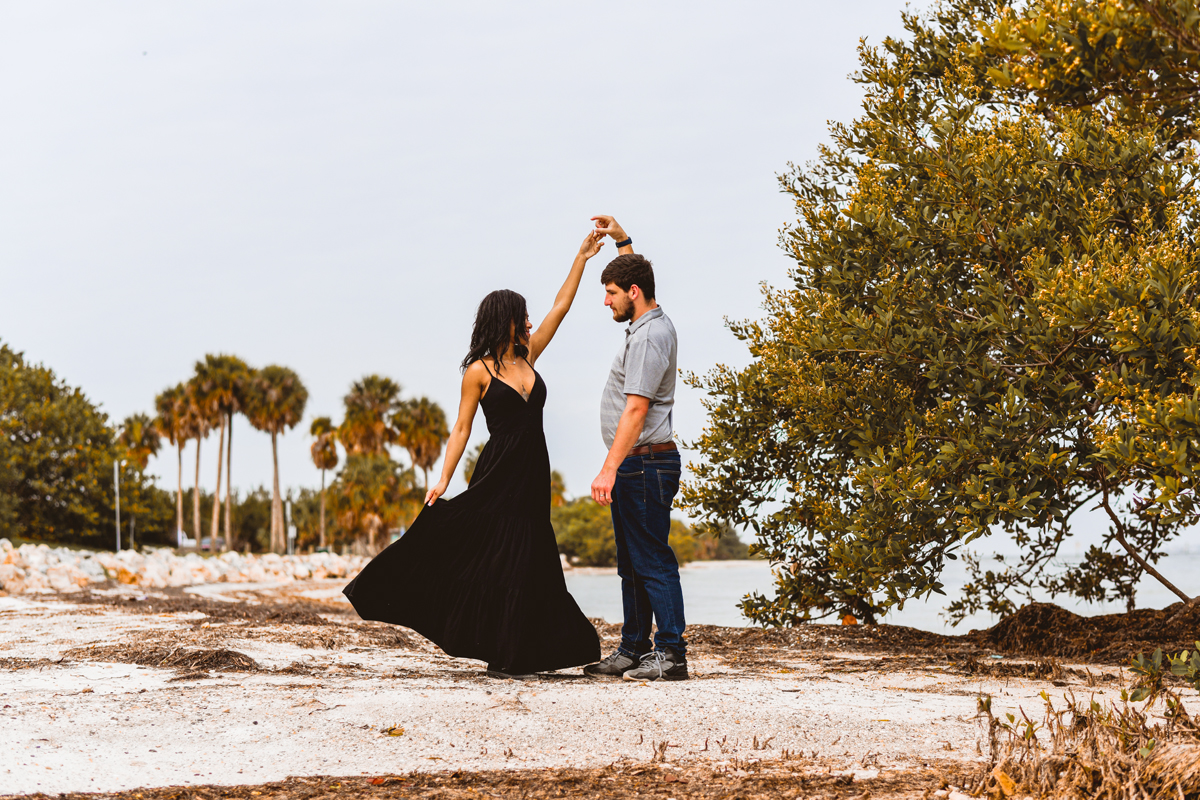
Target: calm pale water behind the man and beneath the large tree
{"points": [[713, 590]]}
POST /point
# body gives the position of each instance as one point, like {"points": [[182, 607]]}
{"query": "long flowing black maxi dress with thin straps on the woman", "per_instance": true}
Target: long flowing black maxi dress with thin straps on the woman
{"points": [[479, 575]]}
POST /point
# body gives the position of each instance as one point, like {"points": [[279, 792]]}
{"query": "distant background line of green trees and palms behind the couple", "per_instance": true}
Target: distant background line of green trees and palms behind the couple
{"points": [[58, 452]]}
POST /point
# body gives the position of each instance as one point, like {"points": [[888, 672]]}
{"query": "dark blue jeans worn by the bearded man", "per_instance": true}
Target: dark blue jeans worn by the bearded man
{"points": [[649, 570]]}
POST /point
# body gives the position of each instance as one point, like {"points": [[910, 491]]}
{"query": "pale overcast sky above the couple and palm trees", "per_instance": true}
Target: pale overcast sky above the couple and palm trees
{"points": [[334, 187]]}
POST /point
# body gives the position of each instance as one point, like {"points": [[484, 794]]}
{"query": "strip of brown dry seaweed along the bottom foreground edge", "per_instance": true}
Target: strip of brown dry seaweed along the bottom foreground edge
{"points": [[747, 781]]}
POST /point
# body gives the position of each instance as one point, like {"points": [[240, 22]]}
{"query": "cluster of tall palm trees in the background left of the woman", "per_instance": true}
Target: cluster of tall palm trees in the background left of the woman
{"points": [[373, 492]]}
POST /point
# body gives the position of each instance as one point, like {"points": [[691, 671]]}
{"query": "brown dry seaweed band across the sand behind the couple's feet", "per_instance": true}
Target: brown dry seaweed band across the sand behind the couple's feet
{"points": [[1037, 631]]}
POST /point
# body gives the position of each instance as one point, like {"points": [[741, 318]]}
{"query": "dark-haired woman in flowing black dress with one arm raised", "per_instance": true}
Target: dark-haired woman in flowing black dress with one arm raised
{"points": [[479, 575]]}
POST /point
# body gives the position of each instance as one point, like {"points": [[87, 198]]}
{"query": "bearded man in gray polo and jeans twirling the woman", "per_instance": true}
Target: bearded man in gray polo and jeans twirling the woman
{"points": [[641, 476]]}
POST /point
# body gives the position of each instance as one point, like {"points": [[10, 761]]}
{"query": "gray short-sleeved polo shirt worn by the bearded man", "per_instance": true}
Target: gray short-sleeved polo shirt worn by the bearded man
{"points": [[645, 366]]}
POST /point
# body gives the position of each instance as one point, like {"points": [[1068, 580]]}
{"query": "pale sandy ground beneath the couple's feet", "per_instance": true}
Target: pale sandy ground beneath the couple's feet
{"points": [[331, 695]]}
